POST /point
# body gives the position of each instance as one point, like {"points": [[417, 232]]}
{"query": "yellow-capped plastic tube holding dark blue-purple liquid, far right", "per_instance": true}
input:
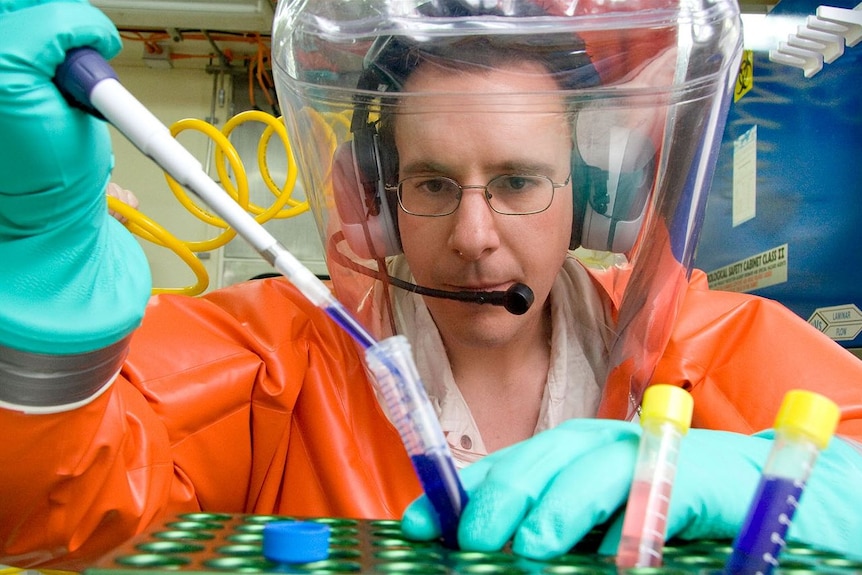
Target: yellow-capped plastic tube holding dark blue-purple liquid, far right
{"points": [[803, 427]]}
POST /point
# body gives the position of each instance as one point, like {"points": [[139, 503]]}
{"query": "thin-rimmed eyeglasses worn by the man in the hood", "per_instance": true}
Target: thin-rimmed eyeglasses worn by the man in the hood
{"points": [[510, 194]]}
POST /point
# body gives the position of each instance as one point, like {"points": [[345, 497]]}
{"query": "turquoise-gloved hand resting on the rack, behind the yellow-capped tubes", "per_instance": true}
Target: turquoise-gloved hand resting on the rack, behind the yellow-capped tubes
{"points": [[546, 493]]}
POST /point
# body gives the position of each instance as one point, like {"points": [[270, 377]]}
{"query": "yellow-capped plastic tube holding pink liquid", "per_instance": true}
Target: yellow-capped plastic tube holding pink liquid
{"points": [[665, 417]]}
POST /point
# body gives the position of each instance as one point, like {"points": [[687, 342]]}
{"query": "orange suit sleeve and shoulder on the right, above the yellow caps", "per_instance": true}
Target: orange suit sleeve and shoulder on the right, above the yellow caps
{"points": [[739, 354]]}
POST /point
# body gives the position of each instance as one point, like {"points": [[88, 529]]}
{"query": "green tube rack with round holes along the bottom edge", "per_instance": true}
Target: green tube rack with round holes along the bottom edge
{"points": [[219, 543]]}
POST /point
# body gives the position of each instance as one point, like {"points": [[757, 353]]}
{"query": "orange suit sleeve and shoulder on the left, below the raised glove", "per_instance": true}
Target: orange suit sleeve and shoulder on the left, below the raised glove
{"points": [[248, 399]]}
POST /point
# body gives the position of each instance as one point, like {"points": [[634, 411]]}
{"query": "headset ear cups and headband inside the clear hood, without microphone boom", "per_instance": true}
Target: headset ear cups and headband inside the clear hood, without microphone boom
{"points": [[613, 167]]}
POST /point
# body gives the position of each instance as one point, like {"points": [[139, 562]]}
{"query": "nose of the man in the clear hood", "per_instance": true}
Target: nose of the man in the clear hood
{"points": [[474, 225]]}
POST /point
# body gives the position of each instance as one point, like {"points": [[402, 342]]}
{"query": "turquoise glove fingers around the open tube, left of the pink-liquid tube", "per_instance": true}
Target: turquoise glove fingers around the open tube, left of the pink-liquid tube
{"points": [[545, 493]]}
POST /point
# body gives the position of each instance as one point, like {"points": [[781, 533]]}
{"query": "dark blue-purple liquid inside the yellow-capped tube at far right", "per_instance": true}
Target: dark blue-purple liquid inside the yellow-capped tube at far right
{"points": [[762, 536]]}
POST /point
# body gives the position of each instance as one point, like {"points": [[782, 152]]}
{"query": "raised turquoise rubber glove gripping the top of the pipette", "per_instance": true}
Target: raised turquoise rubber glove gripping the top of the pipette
{"points": [[73, 279]]}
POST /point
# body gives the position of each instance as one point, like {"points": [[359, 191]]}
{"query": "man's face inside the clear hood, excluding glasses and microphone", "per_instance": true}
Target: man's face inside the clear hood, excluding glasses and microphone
{"points": [[473, 139]]}
